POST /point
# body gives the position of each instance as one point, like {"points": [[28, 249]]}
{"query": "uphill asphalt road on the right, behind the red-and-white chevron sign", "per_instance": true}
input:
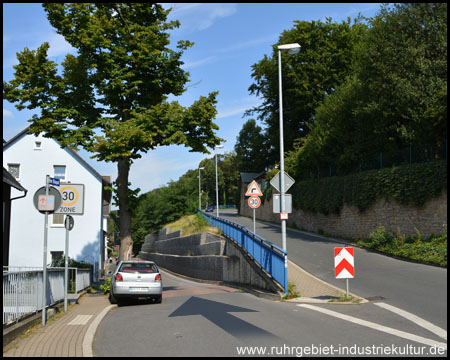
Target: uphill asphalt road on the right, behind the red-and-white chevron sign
{"points": [[416, 288]]}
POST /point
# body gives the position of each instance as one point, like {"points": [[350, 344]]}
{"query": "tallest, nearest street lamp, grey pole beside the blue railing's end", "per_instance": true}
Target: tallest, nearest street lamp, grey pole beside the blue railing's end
{"points": [[291, 49]]}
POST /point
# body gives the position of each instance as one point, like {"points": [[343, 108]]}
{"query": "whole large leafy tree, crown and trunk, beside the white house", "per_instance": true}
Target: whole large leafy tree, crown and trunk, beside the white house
{"points": [[111, 98]]}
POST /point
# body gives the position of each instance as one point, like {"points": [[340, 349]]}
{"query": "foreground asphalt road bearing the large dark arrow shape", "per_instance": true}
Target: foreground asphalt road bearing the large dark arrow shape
{"points": [[197, 319]]}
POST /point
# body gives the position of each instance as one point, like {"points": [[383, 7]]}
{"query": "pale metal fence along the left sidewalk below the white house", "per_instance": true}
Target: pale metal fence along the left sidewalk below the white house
{"points": [[22, 289]]}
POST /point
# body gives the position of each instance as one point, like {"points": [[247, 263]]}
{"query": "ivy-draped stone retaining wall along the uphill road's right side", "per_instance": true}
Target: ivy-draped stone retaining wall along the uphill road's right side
{"points": [[405, 200]]}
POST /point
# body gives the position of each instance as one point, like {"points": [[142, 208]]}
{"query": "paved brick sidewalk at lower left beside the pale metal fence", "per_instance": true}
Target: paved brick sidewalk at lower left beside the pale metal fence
{"points": [[70, 334]]}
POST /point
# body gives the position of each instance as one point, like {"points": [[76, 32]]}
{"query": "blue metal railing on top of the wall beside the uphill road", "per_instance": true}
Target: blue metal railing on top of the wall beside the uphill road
{"points": [[271, 258]]}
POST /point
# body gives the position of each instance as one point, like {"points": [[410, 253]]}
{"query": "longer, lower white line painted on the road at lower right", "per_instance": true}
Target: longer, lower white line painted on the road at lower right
{"points": [[378, 327]]}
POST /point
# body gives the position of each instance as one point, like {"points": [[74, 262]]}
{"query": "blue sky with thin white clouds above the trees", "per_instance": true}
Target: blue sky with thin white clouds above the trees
{"points": [[229, 38]]}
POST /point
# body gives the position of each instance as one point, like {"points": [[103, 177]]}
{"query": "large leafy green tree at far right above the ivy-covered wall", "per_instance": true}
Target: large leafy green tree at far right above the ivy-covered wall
{"points": [[396, 95]]}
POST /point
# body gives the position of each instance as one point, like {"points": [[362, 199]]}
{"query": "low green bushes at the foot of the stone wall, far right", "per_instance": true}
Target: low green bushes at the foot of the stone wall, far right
{"points": [[430, 250]]}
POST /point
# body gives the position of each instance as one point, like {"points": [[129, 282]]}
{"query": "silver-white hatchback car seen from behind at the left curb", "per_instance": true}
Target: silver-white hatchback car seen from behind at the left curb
{"points": [[136, 279]]}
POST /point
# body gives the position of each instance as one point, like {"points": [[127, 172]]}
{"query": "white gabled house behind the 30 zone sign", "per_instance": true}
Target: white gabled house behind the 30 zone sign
{"points": [[29, 159]]}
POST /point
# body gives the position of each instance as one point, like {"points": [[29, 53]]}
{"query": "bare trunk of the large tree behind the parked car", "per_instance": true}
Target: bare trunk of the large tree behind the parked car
{"points": [[126, 244]]}
